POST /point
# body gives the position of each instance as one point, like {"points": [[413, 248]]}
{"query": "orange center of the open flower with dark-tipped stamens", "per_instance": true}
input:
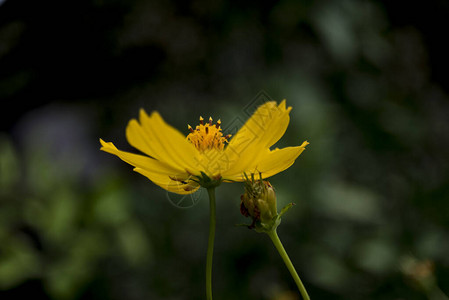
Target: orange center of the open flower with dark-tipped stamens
{"points": [[207, 136]]}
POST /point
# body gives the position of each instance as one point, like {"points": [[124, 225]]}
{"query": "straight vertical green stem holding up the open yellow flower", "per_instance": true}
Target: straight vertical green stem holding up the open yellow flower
{"points": [[210, 244]]}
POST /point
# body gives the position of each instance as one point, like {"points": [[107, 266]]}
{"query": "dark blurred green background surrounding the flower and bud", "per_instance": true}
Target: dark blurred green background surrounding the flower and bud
{"points": [[368, 84]]}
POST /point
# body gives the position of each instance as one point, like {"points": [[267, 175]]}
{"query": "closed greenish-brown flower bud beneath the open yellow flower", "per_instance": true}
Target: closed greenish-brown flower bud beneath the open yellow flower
{"points": [[259, 201]]}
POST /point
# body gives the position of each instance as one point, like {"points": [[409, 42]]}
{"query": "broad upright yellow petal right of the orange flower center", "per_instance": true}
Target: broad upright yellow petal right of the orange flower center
{"points": [[264, 128]]}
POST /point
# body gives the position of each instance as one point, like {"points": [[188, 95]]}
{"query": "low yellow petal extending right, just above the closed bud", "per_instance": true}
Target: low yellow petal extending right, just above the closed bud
{"points": [[271, 162]]}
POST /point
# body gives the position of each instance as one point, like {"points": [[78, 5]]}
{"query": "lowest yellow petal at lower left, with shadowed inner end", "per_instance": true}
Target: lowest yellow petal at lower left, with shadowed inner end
{"points": [[168, 184]]}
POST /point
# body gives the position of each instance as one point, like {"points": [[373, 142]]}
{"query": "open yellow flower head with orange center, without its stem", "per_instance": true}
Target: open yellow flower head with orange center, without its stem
{"points": [[182, 164]]}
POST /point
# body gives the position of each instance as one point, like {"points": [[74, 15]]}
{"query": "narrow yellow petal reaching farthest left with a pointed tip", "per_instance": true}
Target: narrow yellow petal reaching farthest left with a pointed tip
{"points": [[144, 162]]}
